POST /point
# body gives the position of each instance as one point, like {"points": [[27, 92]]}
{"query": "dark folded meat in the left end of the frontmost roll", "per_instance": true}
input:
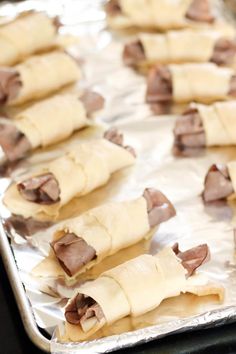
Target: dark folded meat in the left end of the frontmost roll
{"points": [[81, 308]]}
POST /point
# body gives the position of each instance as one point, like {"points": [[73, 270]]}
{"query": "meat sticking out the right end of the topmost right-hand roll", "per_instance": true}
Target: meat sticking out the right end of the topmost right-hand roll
{"points": [[200, 11]]}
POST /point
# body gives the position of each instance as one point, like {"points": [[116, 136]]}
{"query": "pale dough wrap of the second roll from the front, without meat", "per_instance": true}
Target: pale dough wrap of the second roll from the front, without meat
{"points": [[109, 228]]}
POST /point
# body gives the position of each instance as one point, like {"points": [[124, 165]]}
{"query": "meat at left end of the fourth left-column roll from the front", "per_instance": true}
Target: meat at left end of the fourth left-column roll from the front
{"points": [[14, 143]]}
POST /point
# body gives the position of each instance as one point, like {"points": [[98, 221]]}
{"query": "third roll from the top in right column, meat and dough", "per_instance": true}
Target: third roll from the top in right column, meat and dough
{"points": [[204, 83]]}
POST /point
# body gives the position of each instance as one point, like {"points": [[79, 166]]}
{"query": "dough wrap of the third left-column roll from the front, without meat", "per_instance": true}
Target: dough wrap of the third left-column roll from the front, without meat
{"points": [[80, 170]]}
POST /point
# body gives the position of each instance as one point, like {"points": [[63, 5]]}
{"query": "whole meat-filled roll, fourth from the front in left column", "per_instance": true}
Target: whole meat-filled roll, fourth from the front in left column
{"points": [[47, 122]]}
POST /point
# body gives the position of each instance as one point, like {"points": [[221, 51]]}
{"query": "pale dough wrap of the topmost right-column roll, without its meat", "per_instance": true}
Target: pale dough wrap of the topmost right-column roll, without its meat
{"points": [[162, 14]]}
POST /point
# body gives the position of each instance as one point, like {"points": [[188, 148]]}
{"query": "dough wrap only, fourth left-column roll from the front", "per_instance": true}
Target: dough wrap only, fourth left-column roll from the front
{"points": [[52, 120]]}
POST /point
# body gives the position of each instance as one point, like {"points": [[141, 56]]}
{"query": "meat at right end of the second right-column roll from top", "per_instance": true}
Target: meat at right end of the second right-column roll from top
{"points": [[224, 52]]}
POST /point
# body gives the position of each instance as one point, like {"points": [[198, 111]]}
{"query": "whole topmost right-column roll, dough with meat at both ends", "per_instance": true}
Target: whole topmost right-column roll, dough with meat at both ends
{"points": [[161, 14]]}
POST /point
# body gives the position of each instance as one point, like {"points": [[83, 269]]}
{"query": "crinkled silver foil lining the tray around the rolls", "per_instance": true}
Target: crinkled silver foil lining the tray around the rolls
{"points": [[181, 179]]}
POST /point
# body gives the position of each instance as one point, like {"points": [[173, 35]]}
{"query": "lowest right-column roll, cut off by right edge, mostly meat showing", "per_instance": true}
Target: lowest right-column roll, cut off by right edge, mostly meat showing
{"points": [[220, 182]]}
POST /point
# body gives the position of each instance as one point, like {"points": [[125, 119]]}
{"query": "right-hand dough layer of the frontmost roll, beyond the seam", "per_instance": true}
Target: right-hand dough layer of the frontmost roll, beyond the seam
{"points": [[147, 280]]}
